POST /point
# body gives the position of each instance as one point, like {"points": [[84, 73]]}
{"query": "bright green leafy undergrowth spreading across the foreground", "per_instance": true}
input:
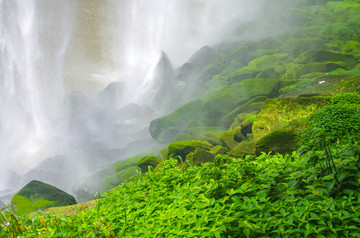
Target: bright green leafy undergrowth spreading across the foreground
{"points": [[267, 196]]}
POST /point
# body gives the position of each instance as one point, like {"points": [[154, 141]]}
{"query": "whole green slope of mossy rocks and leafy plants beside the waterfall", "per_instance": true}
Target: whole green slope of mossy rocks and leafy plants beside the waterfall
{"points": [[298, 88]]}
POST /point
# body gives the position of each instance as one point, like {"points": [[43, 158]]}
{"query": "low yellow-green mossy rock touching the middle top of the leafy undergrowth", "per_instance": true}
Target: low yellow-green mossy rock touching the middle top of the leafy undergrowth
{"points": [[182, 148]]}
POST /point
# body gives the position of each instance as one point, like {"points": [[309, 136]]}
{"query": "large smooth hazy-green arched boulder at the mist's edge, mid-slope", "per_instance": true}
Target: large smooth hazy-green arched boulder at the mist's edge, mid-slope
{"points": [[223, 102]]}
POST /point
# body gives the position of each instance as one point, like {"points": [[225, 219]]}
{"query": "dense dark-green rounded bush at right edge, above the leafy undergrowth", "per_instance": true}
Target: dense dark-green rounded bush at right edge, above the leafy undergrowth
{"points": [[335, 124]]}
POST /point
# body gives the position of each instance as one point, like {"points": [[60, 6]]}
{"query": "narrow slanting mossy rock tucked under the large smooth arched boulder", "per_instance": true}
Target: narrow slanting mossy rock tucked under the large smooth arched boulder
{"points": [[253, 106]]}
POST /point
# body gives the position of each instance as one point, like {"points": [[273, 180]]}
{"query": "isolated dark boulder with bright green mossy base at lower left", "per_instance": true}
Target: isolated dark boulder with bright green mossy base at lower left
{"points": [[37, 195]]}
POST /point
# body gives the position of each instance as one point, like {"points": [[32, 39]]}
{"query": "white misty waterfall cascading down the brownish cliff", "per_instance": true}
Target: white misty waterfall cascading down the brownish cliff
{"points": [[68, 67]]}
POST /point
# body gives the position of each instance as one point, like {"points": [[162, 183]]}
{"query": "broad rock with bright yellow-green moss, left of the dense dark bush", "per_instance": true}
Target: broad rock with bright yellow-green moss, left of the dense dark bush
{"points": [[279, 112]]}
